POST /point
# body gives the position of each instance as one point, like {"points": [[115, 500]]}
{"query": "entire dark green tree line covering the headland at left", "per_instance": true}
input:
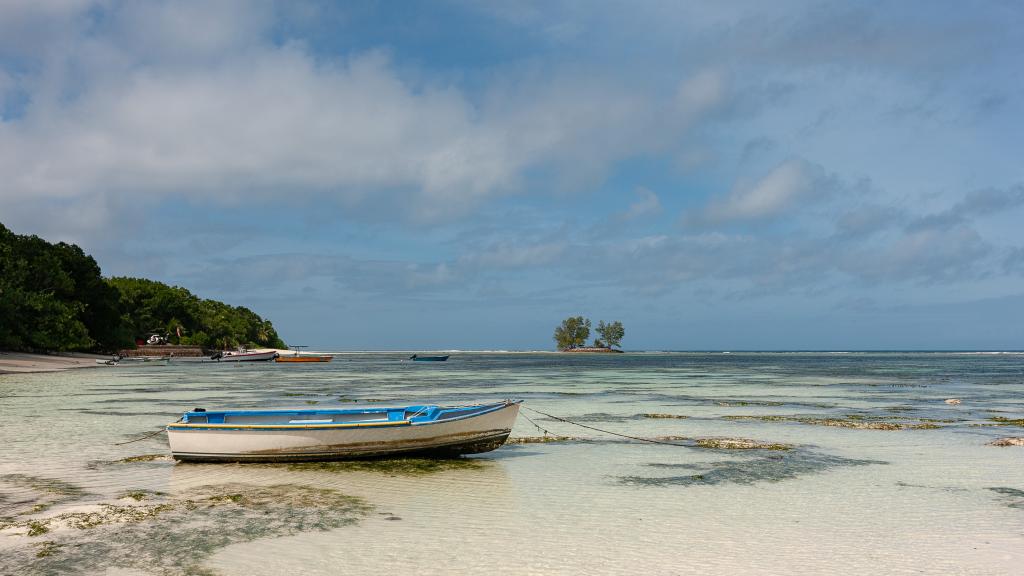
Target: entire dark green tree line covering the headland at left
{"points": [[54, 299]]}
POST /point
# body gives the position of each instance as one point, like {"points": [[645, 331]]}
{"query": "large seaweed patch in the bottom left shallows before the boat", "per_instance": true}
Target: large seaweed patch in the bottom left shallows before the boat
{"points": [[176, 536]]}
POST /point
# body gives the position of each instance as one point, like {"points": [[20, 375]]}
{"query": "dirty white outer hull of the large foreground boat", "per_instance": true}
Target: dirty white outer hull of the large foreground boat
{"points": [[273, 444]]}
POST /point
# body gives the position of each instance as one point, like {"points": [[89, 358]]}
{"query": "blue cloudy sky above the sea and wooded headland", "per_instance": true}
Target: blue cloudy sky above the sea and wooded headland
{"points": [[464, 176]]}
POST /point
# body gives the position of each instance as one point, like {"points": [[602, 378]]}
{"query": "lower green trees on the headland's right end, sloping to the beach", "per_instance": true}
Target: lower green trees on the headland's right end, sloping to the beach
{"points": [[150, 307]]}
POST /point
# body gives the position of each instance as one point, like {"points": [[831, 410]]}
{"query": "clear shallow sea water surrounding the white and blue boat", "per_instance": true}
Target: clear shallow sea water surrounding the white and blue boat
{"points": [[932, 498]]}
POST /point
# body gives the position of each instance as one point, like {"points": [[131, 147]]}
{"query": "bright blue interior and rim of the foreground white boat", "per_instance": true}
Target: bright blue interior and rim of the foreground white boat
{"points": [[415, 415]]}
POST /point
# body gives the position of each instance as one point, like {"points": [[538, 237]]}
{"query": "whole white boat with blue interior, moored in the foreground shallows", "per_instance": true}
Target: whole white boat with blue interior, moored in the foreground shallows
{"points": [[267, 436]]}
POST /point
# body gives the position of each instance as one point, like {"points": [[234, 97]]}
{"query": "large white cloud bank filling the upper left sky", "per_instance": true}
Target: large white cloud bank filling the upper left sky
{"points": [[191, 100]]}
